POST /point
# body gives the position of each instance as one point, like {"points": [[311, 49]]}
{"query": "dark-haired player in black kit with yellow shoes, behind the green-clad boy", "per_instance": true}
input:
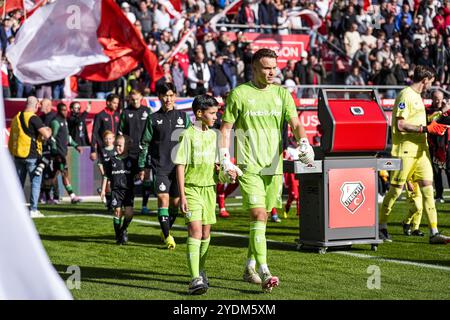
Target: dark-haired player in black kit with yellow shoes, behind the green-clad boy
{"points": [[159, 139]]}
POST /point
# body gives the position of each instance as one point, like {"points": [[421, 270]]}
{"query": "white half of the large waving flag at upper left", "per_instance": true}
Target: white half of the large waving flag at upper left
{"points": [[57, 41]]}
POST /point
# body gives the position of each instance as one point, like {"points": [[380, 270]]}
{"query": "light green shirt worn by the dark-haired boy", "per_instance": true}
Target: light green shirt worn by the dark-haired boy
{"points": [[197, 151]]}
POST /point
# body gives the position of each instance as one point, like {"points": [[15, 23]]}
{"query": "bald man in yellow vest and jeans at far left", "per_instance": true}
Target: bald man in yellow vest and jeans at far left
{"points": [[25, 145]]}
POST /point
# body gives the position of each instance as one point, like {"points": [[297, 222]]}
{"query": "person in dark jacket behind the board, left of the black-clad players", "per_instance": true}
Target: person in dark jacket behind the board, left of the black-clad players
{"points": [[77, 123]]}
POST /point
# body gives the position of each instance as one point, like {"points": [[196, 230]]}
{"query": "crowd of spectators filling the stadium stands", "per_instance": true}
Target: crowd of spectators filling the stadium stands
{"points": [[357, 44]]}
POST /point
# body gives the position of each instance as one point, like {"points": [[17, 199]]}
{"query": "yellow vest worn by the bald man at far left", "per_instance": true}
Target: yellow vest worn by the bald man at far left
{"points": [[20, 138]]}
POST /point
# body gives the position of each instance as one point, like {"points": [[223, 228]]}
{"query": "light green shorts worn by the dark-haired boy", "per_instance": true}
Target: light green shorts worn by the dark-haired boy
{"points": [[201, 203]]}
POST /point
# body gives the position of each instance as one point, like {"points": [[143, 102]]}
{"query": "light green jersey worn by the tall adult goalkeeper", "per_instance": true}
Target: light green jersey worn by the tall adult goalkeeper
{"points": [[259, 116]]}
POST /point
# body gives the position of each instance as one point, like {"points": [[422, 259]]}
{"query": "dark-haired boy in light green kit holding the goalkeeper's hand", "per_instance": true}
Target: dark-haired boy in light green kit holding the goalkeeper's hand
{"points": [[197, 175]]}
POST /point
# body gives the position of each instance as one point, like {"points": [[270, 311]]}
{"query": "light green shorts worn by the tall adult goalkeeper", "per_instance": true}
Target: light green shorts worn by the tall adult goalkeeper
{"points": [[260, 191]]}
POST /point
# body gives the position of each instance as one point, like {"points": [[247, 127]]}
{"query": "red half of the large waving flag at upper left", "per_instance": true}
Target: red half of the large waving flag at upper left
{"points": [[123, 45]]}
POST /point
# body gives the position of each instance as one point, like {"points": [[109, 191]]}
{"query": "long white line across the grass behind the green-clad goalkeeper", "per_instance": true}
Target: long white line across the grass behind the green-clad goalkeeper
{"points": [[351, 254]]}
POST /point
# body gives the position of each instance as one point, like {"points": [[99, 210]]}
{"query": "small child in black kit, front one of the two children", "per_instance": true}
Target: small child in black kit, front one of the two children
{"points": [[119, 170]]}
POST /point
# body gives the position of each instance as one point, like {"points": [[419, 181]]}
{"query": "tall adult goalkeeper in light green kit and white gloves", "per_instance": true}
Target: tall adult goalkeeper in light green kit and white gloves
{"points": [[258, 109]]}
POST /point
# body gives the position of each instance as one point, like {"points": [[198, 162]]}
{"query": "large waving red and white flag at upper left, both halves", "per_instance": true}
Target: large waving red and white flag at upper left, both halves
{"points": [[91, 38]]}
